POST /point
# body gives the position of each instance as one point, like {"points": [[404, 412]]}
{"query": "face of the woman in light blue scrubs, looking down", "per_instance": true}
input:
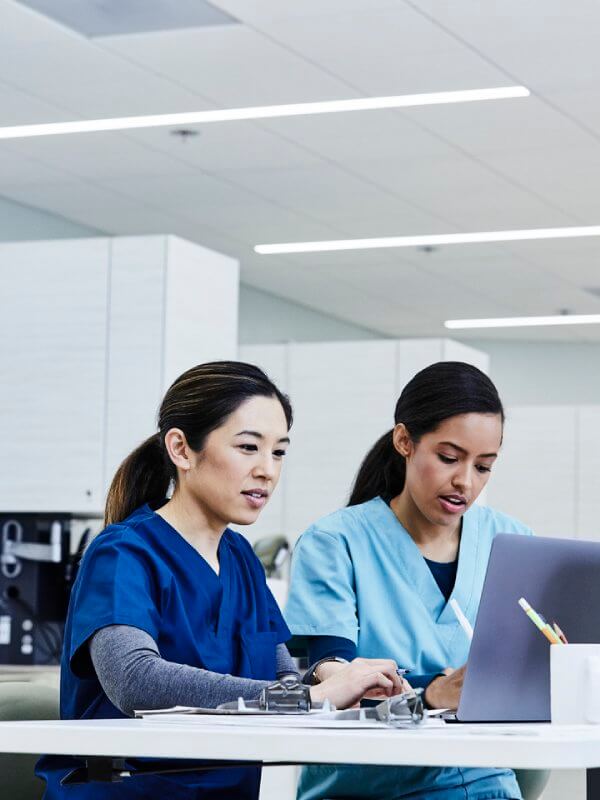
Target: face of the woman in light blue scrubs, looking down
{"points": [[447, 469]]}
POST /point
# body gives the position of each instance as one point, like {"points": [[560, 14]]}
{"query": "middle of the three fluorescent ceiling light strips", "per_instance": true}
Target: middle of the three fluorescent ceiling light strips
{"points": [[429, 240]]}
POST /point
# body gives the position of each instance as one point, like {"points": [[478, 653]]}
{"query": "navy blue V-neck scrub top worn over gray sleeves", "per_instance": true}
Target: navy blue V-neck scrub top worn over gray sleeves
{"points": [[142, 572]]}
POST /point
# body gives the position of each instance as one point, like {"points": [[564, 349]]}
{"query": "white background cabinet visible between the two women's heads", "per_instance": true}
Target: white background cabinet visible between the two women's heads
{"points": [[344, 395]]}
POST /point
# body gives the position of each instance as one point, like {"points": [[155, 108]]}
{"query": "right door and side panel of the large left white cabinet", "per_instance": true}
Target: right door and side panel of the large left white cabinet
{"points": [[173, 304]]}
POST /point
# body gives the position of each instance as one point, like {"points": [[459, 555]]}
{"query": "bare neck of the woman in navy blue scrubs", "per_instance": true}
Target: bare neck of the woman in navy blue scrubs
{"points": [[195, 525]]}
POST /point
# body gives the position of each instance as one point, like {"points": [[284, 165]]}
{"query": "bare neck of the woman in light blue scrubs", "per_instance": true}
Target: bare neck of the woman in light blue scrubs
{"points": [[436, 542]]}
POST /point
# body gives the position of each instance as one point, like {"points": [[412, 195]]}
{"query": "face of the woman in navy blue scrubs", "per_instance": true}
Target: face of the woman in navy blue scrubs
{"points": [[235, 473]]}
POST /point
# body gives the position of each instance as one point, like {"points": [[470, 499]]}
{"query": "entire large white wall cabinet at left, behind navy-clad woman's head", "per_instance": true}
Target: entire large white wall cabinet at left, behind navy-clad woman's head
{"points": [[91, 333]]}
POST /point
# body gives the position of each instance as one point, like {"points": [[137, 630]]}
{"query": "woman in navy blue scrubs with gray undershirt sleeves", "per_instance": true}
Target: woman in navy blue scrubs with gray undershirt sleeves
{"points": [[170, 605]]}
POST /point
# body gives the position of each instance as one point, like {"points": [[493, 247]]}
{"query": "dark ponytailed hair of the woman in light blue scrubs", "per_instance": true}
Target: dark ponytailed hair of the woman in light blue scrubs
{"points": [[438, 392]]}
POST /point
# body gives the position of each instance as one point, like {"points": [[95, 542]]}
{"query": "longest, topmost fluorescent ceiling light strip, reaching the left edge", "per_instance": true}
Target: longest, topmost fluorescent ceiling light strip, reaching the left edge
{"points": [[262, 112]]}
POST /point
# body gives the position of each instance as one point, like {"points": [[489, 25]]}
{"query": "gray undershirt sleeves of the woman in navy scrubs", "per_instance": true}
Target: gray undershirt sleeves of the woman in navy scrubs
{"points": [[135, 676]]}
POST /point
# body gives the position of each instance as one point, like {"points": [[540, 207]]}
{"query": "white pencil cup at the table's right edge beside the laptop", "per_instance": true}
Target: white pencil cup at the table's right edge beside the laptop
{"points": [[575, 683]]}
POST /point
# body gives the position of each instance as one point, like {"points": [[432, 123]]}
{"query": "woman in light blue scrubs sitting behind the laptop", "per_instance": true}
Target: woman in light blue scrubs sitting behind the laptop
{"points": [[374, 579]]}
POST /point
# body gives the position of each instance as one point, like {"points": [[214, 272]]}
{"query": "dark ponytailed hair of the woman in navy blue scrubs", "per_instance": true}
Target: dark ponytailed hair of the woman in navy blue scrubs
{"points": [[198, 402]]}
